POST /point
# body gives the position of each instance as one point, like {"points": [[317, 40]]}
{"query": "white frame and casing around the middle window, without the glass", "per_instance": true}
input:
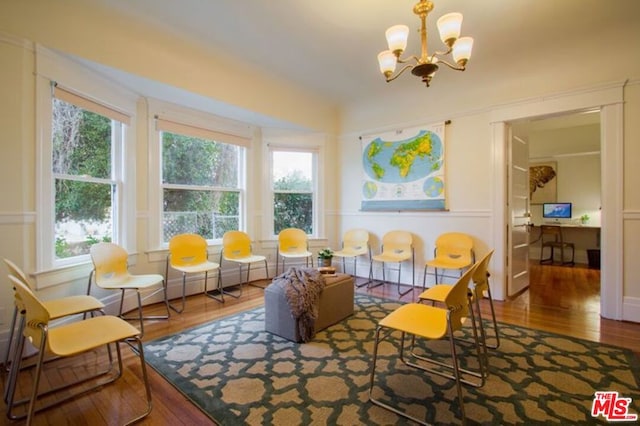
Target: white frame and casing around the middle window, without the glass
{"points": [[201, 124]]}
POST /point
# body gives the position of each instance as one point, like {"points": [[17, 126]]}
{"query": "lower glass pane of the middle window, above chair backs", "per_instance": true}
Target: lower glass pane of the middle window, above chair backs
{"points": [[207, 213]]}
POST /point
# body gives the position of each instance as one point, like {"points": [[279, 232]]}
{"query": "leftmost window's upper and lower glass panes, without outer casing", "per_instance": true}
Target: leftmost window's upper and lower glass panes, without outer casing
{"points": [[83, 164]]}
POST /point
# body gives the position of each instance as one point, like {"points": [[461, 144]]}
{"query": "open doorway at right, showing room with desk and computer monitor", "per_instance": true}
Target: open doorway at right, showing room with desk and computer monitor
{"points": [[564, 162]]}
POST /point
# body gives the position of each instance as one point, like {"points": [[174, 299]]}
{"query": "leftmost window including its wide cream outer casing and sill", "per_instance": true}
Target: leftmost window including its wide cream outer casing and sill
{"points": [[85, 174]]}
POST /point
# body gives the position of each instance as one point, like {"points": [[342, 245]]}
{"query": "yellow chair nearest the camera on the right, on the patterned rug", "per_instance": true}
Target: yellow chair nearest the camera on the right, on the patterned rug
{"points": [[426, 322]]}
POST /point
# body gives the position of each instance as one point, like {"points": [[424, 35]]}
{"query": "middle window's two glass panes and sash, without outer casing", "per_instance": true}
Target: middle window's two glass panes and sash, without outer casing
{"points": [[202, 182]]}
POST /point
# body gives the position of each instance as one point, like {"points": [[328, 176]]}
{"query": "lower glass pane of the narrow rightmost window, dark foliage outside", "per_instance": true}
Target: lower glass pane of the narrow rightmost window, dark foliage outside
{"points": [[292, 210]]}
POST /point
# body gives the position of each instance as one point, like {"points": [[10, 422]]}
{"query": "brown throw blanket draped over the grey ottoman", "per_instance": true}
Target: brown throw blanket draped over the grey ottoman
{"points": [[302, 288]]}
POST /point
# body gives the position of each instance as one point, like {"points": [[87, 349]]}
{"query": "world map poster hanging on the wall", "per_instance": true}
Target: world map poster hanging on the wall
{"points": [[404, 170]]}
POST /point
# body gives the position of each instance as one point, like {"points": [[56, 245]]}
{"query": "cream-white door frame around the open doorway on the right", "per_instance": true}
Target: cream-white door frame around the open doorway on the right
{"points": [[609, 100]]}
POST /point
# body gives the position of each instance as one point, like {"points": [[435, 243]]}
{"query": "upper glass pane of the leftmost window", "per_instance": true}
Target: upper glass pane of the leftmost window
{"points": [[81, 141]]}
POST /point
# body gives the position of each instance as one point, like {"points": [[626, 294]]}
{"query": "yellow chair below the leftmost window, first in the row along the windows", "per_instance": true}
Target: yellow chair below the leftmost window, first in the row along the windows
{"points": [[111, 272]]}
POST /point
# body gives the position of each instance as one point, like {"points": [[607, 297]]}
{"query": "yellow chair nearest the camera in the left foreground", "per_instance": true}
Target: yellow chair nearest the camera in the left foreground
{"points": [[70, 340]]}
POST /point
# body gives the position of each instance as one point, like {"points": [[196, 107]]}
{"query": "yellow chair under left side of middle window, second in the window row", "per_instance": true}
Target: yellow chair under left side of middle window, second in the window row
{"points": [[188, 255]]}
